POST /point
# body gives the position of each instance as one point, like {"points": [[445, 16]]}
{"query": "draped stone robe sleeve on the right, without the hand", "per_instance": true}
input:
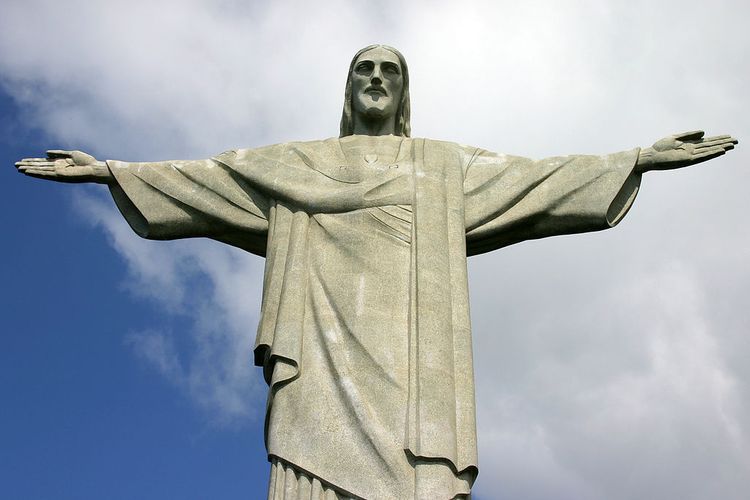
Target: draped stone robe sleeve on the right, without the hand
{"points": [[511, 199]]}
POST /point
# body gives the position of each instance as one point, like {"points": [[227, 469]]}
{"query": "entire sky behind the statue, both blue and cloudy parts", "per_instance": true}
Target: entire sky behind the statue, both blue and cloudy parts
{"points": [[609, 365]]}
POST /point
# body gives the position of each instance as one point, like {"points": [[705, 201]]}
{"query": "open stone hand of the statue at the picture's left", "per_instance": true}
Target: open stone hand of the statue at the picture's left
{"points": [[66, 166]]}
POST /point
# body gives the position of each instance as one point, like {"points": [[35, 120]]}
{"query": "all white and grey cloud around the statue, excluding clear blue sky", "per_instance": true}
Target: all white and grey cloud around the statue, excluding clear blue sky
{"points": [[619, 367]]}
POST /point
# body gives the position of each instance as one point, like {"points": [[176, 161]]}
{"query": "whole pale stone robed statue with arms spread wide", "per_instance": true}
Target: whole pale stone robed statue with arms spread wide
{"points": [[364, 336]]}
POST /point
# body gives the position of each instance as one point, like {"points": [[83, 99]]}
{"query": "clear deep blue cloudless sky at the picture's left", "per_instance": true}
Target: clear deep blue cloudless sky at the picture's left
{"points": [[81, 418]]}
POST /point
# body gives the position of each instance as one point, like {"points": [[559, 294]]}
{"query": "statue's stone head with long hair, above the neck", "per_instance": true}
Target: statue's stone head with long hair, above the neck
{"points": [[377, 88]]}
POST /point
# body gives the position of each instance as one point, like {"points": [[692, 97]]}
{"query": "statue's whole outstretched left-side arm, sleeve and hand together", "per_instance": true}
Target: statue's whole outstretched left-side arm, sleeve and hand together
{"points": [[169, 199]]}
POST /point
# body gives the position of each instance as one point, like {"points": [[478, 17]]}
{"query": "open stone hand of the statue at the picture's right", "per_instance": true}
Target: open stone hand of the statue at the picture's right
{"points": [[682, 150]]}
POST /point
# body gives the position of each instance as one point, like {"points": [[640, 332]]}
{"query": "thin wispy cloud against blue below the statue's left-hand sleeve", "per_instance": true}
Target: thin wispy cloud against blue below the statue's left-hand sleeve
{"points": [[216, 289]]}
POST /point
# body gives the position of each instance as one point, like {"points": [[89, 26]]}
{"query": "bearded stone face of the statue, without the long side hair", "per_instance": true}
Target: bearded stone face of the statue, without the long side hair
{"points": [[377, 84]]}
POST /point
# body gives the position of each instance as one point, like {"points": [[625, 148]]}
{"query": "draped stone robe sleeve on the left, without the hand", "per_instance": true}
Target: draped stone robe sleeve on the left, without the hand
{"points": [[184, 199]]}
